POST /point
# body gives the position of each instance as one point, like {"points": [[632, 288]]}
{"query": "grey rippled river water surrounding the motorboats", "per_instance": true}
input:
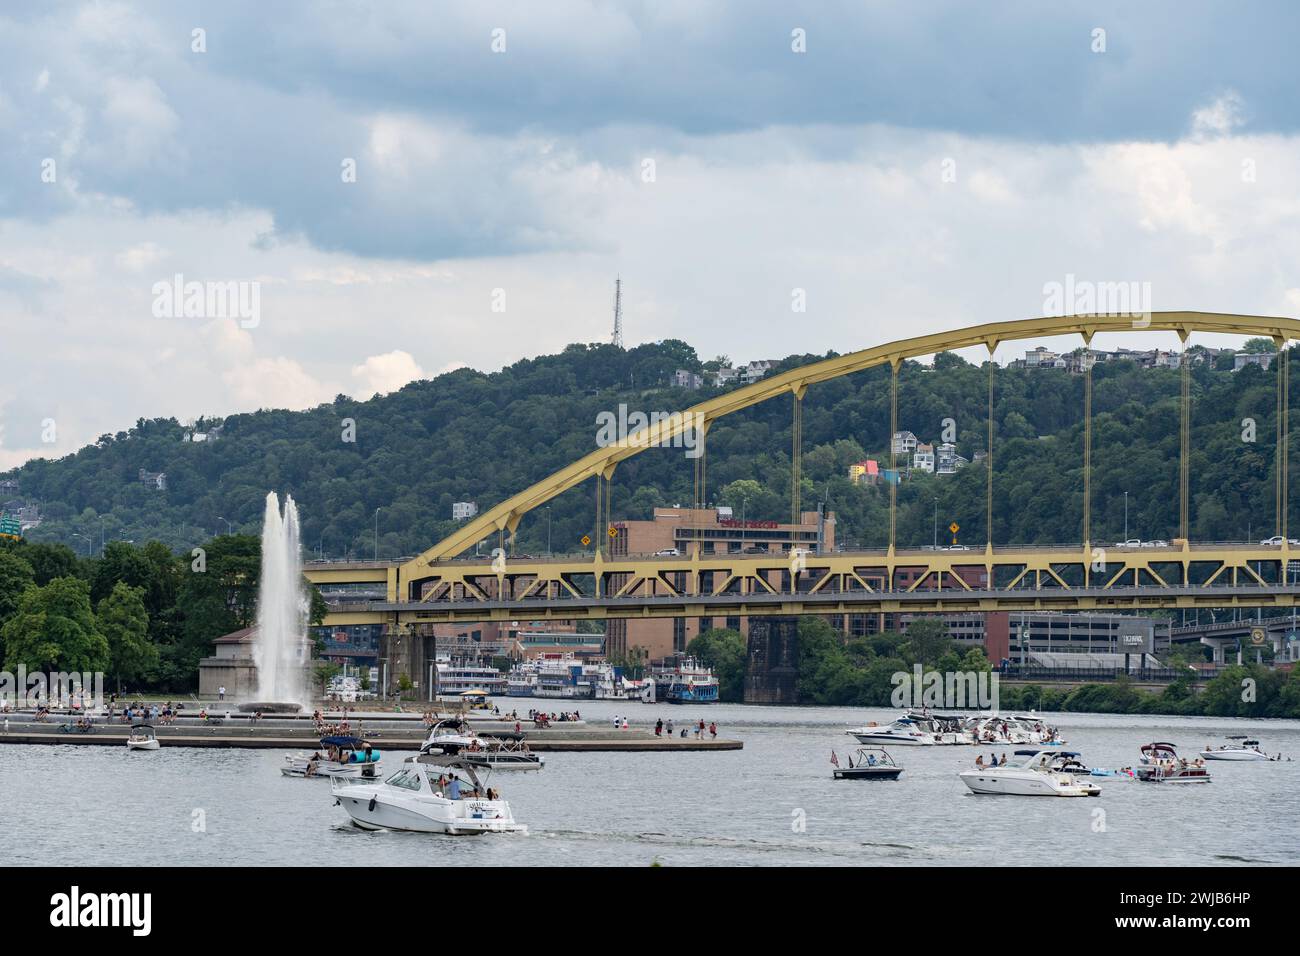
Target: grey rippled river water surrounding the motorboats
{"points": [[773, 803]]}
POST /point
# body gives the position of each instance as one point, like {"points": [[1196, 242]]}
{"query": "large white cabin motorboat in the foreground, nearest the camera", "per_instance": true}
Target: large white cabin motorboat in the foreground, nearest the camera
{"points": [[431, 794]]}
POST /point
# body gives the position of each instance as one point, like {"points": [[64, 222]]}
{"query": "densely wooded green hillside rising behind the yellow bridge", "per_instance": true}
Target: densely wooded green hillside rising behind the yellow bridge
{"points": [[469, 436]]}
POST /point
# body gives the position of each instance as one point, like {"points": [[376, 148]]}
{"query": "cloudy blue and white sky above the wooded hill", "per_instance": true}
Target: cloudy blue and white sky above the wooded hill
{"points": [[417, 187]]}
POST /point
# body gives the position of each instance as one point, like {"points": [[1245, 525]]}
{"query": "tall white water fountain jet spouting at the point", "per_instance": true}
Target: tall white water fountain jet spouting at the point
{"points": [[281, 650]]}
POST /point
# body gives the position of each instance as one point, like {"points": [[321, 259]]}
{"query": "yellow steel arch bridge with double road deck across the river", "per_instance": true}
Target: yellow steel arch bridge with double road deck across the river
{"points": [[440, 586]]}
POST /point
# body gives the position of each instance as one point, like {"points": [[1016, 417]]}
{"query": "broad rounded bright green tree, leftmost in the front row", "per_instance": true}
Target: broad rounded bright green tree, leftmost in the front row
{"points": [[55, 630]]}
